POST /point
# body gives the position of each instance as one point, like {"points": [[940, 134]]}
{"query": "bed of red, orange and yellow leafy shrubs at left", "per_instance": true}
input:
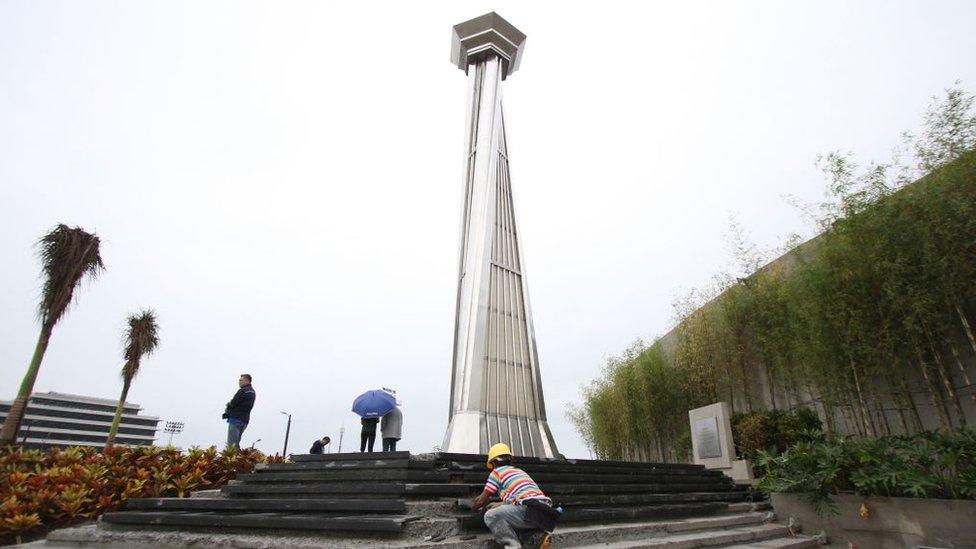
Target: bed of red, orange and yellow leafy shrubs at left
{"points": [[41, 491]]}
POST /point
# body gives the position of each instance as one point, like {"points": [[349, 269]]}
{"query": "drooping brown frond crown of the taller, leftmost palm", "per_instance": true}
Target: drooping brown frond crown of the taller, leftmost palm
{"points": [[67, 254]]}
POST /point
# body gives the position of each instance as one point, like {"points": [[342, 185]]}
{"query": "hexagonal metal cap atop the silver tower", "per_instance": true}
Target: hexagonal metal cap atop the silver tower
{"points": [[485, 35]]}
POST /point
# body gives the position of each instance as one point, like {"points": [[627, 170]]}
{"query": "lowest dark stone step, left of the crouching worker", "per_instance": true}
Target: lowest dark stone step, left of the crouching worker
{"points": [[281, 521]]}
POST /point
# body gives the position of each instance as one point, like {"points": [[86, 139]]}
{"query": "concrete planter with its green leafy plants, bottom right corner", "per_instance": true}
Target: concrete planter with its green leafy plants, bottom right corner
{"points": [[894, 491]]}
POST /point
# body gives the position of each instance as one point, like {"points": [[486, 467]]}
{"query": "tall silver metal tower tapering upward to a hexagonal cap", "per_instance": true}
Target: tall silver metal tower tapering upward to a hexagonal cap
{"points": [[496, 387]]}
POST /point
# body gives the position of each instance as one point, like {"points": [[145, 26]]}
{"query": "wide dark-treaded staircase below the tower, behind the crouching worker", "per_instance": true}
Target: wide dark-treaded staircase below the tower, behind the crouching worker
{"points": [[403, 500]]}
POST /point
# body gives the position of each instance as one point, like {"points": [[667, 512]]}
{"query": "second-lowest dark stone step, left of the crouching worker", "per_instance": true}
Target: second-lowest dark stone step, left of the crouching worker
{"points": [[255, 504]]}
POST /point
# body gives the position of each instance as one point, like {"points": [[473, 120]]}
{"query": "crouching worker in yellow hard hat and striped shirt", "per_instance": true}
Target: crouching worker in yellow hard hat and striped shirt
{"points": [[523, 506]]}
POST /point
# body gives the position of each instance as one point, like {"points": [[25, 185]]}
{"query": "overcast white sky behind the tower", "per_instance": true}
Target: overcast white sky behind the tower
{"points": [[281, 181]]}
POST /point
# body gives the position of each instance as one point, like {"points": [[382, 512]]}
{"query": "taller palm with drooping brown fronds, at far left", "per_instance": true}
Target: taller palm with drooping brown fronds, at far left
{"points": [[67, 255]]}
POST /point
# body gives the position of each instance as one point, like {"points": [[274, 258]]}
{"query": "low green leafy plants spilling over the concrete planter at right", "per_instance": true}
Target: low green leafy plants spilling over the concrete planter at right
{"points": [[932, 464]]}
